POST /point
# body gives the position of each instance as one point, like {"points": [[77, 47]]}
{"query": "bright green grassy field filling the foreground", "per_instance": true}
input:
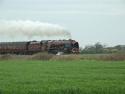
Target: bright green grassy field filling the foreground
{"points": [[62, 77]]}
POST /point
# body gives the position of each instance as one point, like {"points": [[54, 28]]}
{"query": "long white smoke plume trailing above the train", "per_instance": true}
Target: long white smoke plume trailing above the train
{"points": [[31, 29]]}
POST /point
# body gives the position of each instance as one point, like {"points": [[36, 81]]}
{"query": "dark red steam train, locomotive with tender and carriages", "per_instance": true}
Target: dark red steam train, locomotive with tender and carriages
{"points": [[31, 47]]}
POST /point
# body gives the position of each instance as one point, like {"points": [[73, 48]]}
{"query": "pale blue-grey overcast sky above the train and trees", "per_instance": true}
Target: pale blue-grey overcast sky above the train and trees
{"points": [[88, 21]]}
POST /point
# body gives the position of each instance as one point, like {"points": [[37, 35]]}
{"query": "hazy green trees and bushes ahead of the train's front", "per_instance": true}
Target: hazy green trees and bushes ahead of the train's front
{"points": [[99, 48]]}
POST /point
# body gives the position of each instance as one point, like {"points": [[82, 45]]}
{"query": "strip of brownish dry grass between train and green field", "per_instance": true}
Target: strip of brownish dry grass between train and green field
{"points": [[46, 56]]}
